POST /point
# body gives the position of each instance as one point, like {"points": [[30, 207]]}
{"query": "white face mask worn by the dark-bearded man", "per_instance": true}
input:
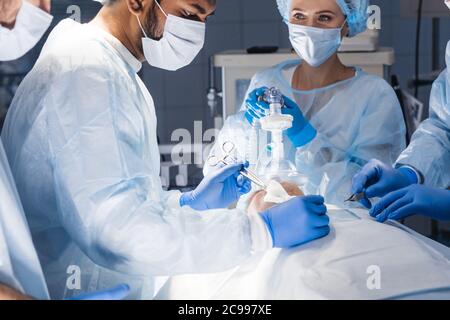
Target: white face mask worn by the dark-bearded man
{"points": [[181, 42]]}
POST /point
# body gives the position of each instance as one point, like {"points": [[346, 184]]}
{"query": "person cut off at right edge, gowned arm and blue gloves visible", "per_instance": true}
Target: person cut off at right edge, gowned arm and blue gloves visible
{"points": [[419, 182]]}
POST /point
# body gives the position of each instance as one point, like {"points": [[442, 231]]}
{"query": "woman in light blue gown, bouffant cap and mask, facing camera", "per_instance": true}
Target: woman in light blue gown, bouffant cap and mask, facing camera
{"points": [[356, 118]]}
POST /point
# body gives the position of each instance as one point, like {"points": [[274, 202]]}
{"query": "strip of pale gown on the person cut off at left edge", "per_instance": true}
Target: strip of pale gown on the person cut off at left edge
{"points": [[19, 263]]}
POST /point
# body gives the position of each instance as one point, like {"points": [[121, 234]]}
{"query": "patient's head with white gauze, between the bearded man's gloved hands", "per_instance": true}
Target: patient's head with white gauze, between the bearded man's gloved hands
{"points": [[275, 193]]}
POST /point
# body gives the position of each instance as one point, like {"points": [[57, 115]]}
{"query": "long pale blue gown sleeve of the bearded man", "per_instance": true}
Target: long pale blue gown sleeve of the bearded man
{"points": [[109, 192]]}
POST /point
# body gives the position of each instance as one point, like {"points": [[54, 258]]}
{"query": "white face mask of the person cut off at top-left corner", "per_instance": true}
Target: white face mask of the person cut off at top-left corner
{"points": [[31, 24]]}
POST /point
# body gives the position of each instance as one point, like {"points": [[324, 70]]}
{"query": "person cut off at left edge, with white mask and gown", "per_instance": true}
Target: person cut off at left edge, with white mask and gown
{"points": [[21, 27]]}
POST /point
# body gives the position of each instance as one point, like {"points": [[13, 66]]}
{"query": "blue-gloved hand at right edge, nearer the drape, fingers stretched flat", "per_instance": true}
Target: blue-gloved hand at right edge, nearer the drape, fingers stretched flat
{"points": [[414, 199]]}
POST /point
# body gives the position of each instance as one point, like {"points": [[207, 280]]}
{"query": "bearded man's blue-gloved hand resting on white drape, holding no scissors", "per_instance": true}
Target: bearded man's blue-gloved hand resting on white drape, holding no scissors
{"points": [[297, 221]]}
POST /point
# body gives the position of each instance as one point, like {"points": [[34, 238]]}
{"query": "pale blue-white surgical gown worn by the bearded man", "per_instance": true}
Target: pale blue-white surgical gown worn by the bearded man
{"points": [[81, 141]]}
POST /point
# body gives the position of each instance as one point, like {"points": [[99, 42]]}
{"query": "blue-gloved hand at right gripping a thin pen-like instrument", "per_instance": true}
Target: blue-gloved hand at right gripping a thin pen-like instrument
{"points": [[377, 179]]}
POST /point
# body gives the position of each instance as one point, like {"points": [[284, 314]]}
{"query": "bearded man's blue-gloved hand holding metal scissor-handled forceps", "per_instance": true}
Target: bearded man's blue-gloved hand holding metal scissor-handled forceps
{"points": [[219, 189]]}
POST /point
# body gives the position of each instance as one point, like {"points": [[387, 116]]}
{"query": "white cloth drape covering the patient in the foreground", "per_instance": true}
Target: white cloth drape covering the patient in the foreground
{"points": [[360, 259]]}
